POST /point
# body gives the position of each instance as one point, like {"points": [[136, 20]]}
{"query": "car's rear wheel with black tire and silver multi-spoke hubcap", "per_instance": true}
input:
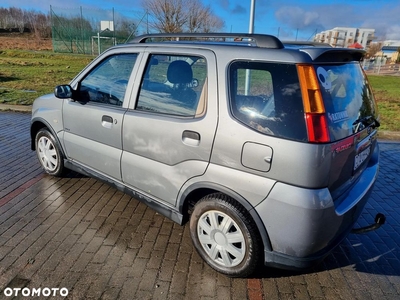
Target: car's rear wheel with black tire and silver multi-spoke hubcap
{"points": [[225, 235]]}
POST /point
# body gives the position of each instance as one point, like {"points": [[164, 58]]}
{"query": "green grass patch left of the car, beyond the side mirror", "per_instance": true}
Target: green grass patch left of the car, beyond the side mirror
{"points": [[25, 75]]}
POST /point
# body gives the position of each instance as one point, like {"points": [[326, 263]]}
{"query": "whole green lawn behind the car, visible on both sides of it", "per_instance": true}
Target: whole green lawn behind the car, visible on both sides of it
{"points": [[25, 75]]}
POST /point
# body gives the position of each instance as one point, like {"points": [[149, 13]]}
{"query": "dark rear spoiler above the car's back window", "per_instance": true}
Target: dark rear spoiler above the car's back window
{"points": [[333, 54]]}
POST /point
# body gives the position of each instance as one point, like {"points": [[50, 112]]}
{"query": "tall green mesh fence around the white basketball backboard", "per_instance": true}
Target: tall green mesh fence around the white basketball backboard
{"points": [[91, 31]]}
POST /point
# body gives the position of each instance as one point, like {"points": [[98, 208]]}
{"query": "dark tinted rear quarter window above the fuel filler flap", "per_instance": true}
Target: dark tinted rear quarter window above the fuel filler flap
{"points": [[267, 98]]}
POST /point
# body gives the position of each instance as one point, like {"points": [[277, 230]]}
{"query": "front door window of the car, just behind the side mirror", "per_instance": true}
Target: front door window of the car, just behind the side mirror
{"points": [[107, 82]]}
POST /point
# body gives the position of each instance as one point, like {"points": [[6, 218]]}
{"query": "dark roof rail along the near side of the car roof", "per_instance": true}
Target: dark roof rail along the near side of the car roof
{"points": [[259, 40]]}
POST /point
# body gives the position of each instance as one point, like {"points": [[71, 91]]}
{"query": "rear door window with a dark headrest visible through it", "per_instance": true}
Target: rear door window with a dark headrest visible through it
{"points": [[174, 85]]}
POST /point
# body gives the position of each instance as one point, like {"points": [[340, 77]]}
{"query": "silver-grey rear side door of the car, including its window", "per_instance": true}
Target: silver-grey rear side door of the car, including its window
{"points": [[169, 128]]}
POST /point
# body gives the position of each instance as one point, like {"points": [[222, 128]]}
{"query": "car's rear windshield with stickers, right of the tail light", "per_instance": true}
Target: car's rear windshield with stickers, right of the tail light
{"points": [[347, 97]]}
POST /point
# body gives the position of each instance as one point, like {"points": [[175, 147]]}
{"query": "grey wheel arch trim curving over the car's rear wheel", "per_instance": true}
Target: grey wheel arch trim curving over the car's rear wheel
{"points": [[195, 192]]}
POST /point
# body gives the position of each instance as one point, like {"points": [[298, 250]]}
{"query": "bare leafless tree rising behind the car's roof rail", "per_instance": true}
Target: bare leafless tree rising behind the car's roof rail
{"points": [[182, 16]]}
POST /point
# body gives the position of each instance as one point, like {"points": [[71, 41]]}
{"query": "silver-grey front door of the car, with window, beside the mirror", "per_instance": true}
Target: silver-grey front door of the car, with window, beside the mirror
{"points": [[93, 120]]}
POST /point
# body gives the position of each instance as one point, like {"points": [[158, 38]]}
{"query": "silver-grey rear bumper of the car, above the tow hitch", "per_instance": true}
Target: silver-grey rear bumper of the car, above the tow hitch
{"points": [[304, 225]]}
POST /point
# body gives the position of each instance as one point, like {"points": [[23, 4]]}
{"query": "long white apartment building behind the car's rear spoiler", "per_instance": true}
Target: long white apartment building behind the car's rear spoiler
{"points": [[346, 36]]}
